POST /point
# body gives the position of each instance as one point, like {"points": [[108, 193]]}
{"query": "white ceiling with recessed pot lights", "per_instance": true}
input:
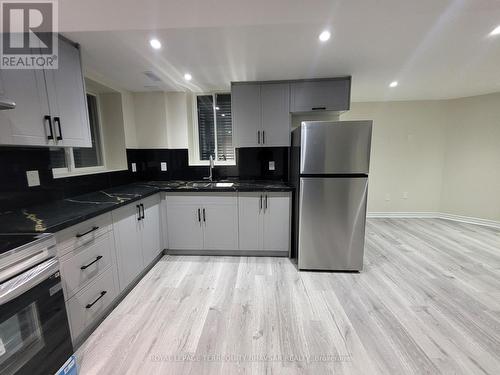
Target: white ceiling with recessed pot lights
{"points": [[434, 48]]}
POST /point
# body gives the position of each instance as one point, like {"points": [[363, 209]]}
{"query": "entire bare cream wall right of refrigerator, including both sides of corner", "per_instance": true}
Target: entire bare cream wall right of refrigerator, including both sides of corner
{"points": [[445, 154]]}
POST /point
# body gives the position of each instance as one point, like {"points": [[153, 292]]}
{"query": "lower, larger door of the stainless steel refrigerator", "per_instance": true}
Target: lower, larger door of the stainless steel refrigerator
{"points": [[332, 214]]}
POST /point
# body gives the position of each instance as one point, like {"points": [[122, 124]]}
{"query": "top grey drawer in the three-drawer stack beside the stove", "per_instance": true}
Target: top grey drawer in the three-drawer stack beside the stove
{"points": [[83, 233]]}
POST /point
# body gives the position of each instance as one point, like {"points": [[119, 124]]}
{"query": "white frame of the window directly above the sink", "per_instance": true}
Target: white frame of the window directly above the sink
{"points": [[194, 157]]}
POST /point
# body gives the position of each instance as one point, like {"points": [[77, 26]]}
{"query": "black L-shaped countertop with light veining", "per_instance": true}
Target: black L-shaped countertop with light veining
{"points": [[55, 216]]}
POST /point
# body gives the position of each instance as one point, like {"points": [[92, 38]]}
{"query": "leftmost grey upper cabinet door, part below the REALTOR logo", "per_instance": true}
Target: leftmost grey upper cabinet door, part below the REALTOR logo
{"points": [[26, 124]]}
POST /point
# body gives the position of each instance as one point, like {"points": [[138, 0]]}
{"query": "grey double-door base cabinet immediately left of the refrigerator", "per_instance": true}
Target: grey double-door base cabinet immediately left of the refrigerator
{"points": [[264, 221]]}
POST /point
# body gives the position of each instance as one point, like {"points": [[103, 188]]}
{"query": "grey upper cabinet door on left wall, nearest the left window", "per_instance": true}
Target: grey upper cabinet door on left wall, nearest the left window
{"points": [[67, 98]]}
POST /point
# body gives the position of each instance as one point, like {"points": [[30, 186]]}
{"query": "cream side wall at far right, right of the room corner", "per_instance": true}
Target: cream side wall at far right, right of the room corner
{"points": [[471, 178]]}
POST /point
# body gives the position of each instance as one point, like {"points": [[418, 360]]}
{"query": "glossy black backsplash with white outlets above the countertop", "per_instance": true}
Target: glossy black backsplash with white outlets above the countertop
{"points": [[252, 163]]}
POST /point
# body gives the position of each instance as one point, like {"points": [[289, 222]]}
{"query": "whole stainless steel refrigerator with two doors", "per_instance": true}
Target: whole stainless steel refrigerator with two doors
{"points": [[329, 170]]}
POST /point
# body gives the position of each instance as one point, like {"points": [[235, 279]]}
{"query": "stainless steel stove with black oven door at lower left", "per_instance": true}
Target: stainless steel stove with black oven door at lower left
{"points": [[34, 329]]}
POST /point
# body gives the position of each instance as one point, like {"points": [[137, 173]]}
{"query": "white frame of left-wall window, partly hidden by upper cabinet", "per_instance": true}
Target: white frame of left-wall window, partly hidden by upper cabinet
{"points": [[70, 169]]}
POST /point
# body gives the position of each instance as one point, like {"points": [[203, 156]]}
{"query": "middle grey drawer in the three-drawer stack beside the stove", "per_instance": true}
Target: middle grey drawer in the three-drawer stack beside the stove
{"points": [[94, 258]]}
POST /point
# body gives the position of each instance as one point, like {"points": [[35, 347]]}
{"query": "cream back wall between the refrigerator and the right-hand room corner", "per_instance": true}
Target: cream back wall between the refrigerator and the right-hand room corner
{"points": [[407, 154]]}
